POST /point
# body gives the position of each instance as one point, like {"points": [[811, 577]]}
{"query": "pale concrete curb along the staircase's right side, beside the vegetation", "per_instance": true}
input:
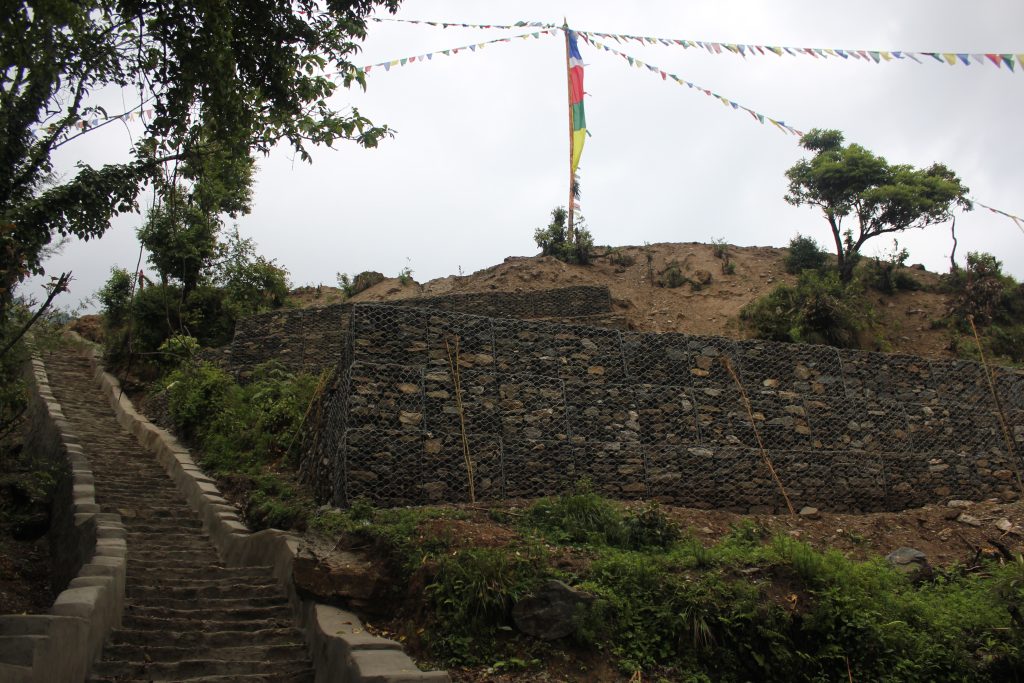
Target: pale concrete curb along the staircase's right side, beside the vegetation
{"points": [[342, 650]]}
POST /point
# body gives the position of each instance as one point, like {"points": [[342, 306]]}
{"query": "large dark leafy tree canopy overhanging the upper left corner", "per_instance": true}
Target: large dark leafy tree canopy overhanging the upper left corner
{"points": [[247, 74]]}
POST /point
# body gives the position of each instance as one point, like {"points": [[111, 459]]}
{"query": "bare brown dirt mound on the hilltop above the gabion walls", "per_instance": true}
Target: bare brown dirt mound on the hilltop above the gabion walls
{"points": [[707, 308]]}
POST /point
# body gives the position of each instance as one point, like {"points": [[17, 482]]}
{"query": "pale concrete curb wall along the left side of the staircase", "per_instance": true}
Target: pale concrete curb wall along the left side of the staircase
{"points": [[62, 647]]}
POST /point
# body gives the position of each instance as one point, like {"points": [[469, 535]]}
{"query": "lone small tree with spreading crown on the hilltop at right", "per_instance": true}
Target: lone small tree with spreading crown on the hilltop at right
{"points": [[882, 198]]}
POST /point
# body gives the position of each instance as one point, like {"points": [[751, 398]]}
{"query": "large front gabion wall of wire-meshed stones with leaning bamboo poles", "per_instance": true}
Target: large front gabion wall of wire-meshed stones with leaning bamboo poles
{"points": [[652, 416]]}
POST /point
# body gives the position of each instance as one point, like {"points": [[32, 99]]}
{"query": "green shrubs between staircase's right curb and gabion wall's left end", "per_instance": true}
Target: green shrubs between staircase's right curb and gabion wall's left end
{"points": [[246, 436]]}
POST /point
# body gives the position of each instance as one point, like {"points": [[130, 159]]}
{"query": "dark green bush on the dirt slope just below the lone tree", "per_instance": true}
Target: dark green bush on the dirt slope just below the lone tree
{"points": [[819, 310]]}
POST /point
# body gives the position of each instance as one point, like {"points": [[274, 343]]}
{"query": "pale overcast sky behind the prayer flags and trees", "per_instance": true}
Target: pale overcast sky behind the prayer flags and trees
{"points": [[481, 152]]}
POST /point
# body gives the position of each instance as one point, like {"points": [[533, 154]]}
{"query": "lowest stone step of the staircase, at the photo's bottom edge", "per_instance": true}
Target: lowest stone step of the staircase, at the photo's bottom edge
{"points": [[187, 669]]}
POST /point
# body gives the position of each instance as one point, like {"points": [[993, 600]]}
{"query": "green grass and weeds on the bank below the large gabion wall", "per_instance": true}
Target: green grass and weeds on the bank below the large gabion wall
{"points": [[752, 607]]}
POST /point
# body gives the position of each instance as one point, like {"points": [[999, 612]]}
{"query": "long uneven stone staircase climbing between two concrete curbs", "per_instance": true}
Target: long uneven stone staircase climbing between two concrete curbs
{"points": [[188, 617]]}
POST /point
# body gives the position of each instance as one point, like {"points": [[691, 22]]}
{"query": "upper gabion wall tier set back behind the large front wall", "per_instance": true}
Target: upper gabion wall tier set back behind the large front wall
{"points": [[312, 339]]}
